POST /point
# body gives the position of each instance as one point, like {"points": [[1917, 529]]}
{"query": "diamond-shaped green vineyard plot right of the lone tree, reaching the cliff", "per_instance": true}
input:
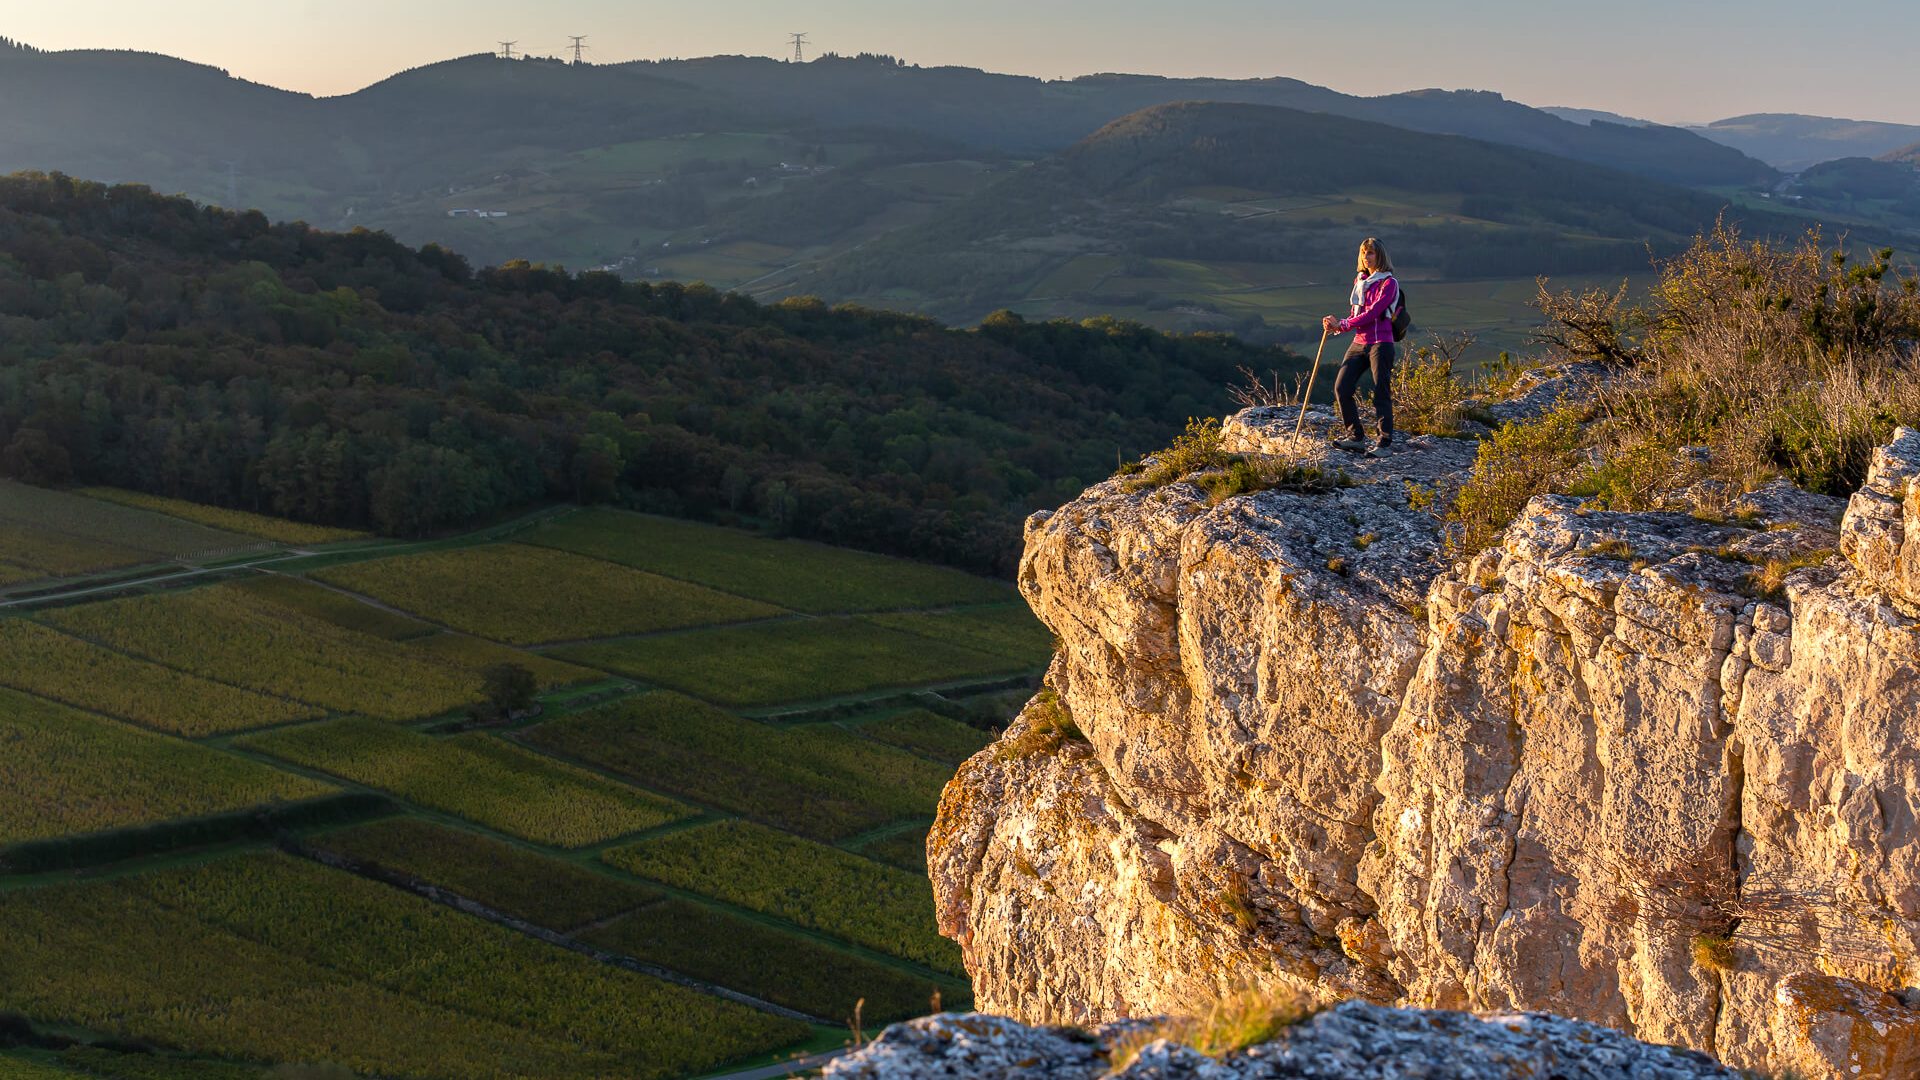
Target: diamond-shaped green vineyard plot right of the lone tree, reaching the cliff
{"points": [[807, 660]]}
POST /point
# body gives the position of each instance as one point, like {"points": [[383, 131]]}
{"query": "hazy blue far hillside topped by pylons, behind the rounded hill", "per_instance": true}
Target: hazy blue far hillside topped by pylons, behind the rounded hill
{"points": [[736, 172]]}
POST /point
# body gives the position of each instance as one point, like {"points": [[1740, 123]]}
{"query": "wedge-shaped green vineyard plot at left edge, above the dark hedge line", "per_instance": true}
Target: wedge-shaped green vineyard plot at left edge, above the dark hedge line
{"points": [[74, 773]]}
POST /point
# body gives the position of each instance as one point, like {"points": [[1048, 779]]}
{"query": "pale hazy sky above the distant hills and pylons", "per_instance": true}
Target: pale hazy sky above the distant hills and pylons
{"points": [[1668, 61]]}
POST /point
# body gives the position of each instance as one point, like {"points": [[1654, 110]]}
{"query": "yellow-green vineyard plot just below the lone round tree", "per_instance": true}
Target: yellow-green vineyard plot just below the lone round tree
{"points": [[477, 777]]}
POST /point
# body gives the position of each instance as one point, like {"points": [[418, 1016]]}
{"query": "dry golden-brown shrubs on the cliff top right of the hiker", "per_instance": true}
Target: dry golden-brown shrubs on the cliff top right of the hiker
{"points": [[1750, 360]]}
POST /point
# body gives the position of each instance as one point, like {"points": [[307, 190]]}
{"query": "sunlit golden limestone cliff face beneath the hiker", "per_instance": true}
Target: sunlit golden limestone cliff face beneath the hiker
{"points": [[1610, 770]]}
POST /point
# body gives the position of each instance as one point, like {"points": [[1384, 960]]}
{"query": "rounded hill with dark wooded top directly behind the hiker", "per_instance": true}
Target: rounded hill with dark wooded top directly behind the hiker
{"points": [[1255, 212]]}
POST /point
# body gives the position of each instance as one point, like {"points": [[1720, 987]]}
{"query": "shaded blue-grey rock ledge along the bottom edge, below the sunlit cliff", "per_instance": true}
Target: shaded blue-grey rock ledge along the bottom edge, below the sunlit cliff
{"points": [[1351, 1043]]}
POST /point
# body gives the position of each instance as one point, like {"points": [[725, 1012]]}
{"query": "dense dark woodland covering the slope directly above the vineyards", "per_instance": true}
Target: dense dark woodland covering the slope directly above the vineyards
{"points": [[347, 380]]}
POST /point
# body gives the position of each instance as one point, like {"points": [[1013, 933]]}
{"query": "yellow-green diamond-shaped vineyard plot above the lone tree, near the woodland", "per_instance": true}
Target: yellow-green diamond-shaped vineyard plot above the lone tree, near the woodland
{"points": [[521, 595]]}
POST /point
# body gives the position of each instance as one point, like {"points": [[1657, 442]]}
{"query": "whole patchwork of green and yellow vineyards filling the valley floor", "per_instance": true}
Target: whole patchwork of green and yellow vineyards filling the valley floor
{"points": [[612, 797]]}
